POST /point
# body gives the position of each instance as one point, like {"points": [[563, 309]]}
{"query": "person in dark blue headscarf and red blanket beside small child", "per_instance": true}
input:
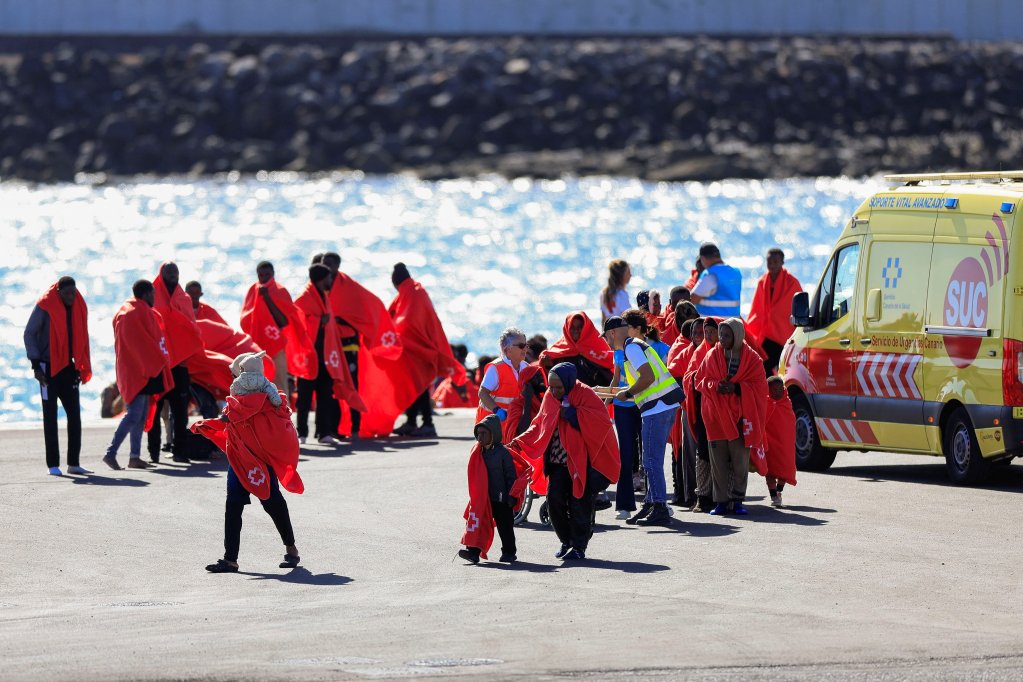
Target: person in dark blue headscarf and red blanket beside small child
{"points": [[573, 439]]}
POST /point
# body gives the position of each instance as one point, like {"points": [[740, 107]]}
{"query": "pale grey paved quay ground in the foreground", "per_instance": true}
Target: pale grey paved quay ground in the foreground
{"points": [[879, 570]]}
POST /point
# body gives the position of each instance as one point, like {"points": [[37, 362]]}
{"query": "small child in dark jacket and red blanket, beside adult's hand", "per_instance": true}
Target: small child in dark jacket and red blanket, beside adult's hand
{"points": [[499, 468]]}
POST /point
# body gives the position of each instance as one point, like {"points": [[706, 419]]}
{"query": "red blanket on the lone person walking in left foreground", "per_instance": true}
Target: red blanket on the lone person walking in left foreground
{"points": [[258, 437]]}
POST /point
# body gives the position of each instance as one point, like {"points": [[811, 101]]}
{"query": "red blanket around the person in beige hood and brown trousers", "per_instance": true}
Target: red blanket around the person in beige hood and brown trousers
{"points": [[723, 413]]}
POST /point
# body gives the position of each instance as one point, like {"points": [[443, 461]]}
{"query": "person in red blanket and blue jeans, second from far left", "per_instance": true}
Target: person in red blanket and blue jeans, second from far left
{"points": [[144, 372]]}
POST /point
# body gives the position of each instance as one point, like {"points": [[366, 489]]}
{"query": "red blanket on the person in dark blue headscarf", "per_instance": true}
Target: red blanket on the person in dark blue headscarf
{"points": [[595, 443]]}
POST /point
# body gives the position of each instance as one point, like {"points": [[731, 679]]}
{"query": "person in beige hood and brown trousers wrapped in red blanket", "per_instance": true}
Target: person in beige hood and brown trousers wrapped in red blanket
{"points": [[734, 393]]}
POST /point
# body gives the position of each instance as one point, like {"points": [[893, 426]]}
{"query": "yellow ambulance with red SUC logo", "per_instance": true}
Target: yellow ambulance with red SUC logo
{"points": [[913, 341]]}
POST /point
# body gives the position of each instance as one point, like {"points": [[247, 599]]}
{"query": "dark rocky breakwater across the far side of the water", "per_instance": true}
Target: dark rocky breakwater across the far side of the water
{"points": [[663, 110]]}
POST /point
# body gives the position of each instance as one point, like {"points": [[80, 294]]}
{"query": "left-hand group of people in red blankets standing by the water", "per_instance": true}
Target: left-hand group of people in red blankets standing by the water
{"points": [[337, 340]]}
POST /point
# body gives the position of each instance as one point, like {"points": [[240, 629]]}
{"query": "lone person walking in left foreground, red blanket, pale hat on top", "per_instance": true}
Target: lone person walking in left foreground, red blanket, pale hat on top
{"points": [[262, 449]]}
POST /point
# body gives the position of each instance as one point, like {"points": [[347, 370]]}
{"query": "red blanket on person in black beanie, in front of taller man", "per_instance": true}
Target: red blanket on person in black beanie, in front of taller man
{"points": [[315, 307]]}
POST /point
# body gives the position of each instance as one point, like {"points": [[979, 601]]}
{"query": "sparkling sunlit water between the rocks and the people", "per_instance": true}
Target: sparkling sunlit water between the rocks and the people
{"points": [[492, 253]]}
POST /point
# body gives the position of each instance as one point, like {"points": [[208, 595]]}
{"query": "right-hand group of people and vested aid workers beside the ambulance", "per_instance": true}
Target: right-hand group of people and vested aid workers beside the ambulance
{"points": [[602, 407]]}
